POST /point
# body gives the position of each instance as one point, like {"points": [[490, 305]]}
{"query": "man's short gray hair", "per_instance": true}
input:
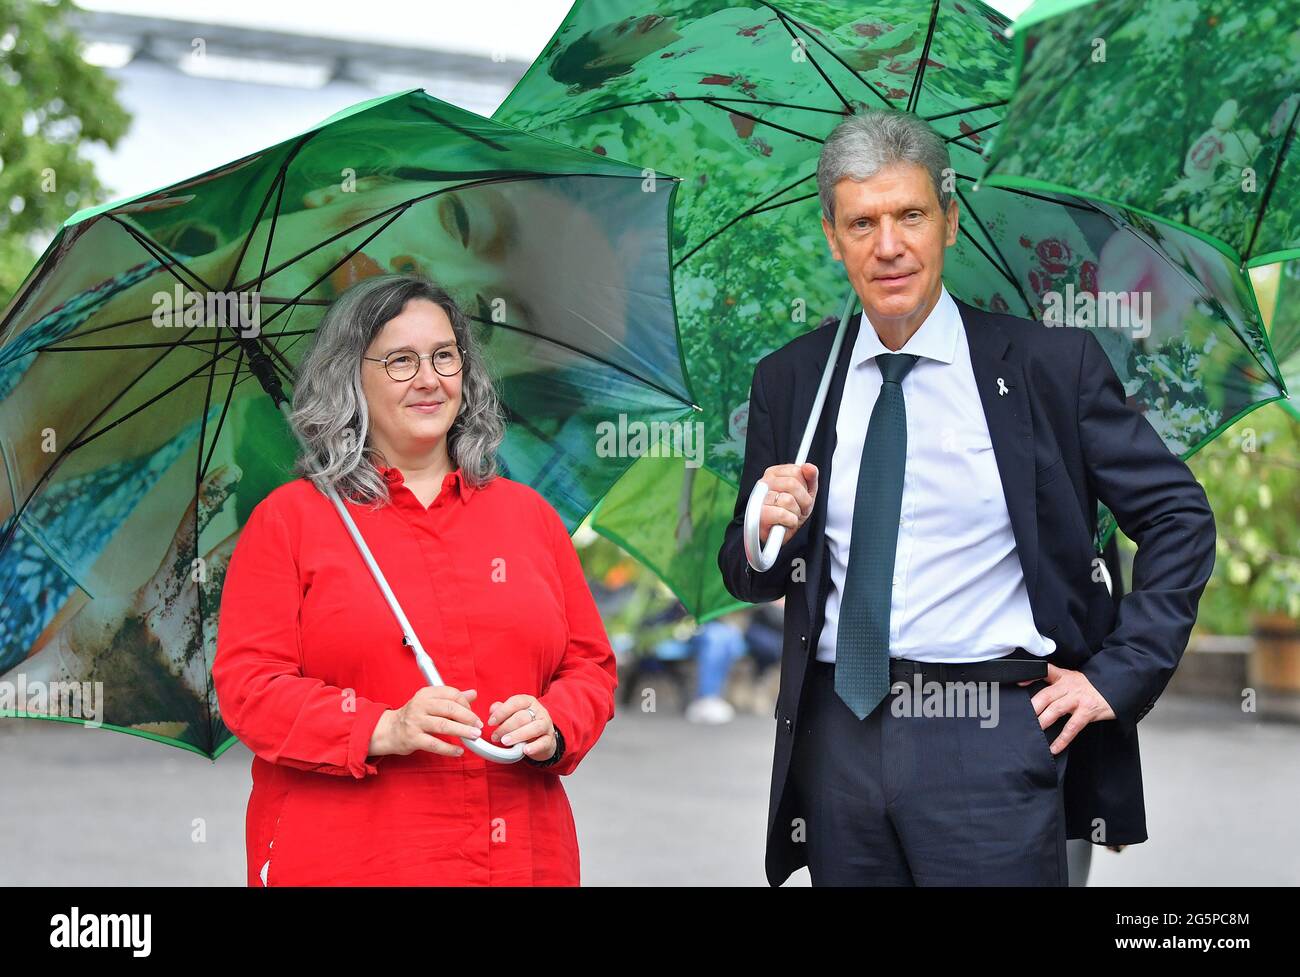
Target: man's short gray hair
{"points": [[865, 144]]}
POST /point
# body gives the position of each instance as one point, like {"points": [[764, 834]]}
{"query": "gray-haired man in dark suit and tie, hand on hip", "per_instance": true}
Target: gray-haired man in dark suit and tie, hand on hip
{"points": [[943, 532]]}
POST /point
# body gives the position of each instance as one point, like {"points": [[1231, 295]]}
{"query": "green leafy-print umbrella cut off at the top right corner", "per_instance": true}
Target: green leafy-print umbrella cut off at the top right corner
{"points": [[1184, 110]]}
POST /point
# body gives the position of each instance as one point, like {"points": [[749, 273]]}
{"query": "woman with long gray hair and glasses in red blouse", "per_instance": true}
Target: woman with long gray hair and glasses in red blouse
{"points": [[359, 776]]}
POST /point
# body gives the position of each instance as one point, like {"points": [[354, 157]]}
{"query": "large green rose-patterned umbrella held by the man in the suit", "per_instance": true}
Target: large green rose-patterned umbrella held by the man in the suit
{"points": [[736, 99]]}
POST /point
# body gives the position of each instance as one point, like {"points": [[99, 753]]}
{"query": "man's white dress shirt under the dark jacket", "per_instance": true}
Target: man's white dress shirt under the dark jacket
{"points": [[959, 588]]}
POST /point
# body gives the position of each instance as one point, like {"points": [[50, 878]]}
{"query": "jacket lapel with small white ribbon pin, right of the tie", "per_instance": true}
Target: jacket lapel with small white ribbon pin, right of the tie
{"points": [[1011, 428]]}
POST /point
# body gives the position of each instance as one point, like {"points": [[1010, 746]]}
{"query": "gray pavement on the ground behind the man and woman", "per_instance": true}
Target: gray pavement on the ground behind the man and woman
{"points": [[658, 802]]}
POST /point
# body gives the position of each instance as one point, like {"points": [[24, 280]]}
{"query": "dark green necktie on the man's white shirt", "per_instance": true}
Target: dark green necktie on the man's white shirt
{"points": [[863, 642]]}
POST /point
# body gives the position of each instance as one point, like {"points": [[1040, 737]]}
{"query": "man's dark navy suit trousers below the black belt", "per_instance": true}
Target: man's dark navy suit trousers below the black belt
{"points": [[916, 800]]}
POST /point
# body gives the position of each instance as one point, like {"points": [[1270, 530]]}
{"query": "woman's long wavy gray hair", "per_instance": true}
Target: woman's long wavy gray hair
{"points": [[330, 411]]}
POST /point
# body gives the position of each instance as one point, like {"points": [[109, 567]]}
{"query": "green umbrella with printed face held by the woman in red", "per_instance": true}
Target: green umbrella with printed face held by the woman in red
{"points": [[135, 446]]}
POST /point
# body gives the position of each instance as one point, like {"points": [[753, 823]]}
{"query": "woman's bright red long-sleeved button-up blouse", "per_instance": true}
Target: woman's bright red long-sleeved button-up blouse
{"points": [[310, 657]]}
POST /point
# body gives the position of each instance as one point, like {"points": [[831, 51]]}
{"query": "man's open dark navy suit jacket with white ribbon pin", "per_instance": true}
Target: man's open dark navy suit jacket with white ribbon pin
{"points": [[1064, 438]]}
